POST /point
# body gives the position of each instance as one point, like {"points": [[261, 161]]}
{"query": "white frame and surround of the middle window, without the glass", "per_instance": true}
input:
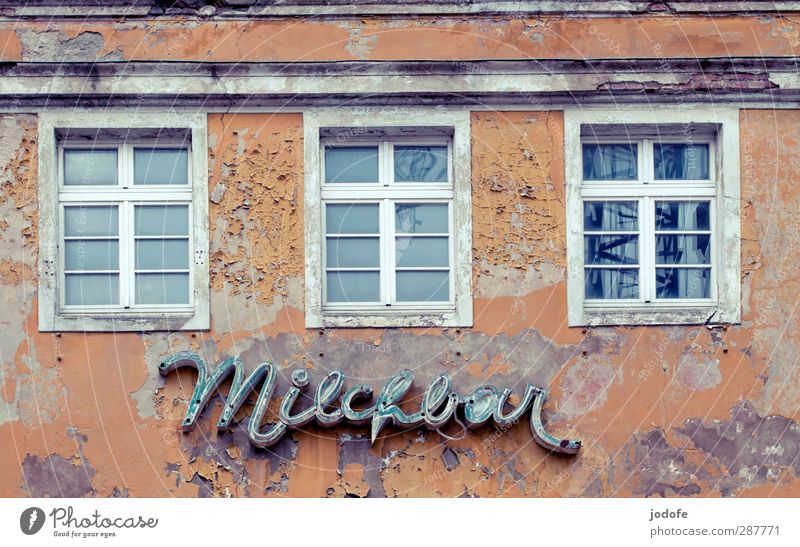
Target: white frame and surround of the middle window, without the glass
{"points": [[456, 192]]}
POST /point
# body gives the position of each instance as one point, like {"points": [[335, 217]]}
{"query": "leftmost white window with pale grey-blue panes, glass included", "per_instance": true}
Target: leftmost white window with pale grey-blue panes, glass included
{"points": [[127, 255]]}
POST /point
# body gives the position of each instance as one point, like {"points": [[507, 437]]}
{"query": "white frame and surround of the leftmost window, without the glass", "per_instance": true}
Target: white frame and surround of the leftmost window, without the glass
{"points": [[54, 196]]}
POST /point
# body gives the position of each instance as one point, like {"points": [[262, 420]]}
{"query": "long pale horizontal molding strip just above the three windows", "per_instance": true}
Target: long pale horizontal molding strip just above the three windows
{"points": [[407, 82]]}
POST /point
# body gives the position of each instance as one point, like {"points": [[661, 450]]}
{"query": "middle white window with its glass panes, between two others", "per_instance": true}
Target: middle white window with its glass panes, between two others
{"points": [[387, 245]]}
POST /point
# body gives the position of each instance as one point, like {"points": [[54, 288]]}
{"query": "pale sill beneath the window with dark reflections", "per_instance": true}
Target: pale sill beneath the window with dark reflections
{"points": [[699, 315]]}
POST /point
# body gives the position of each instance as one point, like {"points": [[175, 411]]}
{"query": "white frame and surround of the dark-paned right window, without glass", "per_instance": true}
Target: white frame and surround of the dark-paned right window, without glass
{"points": [[721, 190]]}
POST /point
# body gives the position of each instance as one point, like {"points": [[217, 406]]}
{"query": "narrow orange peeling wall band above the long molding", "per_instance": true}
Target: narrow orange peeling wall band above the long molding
{"points": [[400, 38]]}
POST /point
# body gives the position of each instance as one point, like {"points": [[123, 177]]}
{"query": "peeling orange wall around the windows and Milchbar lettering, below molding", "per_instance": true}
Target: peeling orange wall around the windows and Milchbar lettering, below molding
{"points": [[660, 410]]}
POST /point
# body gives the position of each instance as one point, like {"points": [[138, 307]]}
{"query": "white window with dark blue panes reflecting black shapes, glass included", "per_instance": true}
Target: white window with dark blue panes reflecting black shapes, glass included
{"points": [[653, 244]]}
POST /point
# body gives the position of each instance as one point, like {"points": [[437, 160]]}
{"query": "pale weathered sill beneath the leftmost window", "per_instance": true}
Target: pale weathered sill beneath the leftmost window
{"points": [[128, 322]]}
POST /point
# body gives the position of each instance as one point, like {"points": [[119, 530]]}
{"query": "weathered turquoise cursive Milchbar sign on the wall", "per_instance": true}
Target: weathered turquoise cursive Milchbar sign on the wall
{"points": [[440, 403]]}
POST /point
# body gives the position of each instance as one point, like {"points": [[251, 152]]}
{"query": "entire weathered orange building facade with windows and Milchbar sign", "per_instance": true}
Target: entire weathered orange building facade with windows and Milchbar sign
{"points": [[593, 198]]}
